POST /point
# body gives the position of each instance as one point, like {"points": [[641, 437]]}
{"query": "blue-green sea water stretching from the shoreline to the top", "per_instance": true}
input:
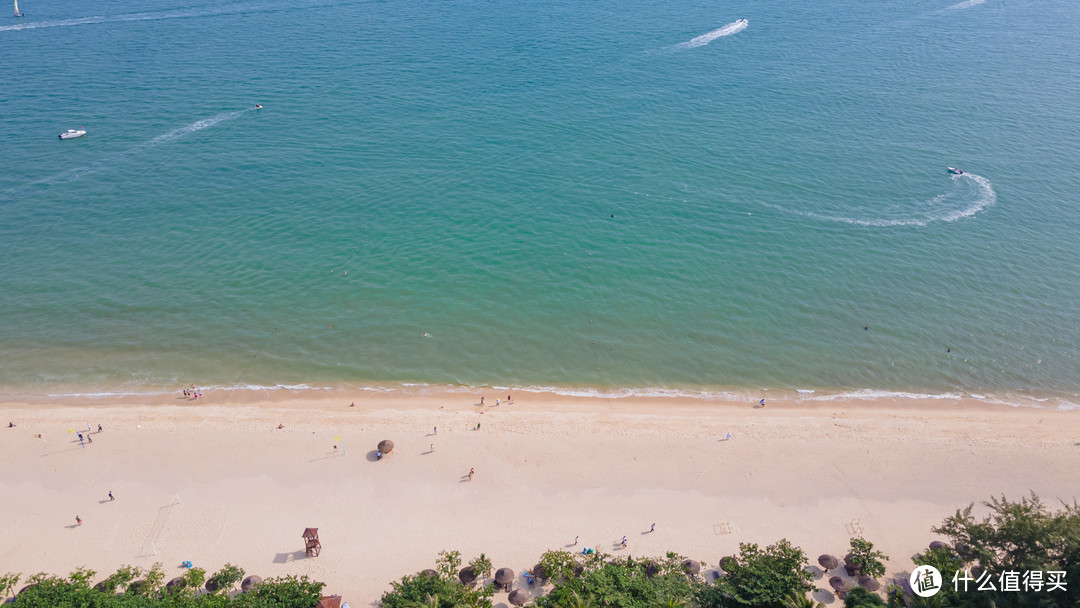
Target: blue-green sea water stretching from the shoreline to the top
{"points": [[605, 195]]}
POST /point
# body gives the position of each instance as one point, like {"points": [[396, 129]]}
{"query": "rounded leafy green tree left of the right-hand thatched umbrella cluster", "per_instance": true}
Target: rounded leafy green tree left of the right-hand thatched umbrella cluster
{"points": [[760, 578]]}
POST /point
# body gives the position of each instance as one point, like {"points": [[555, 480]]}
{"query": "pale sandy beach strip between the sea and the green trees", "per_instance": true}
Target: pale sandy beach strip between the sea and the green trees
{"points": [[548, 469]]}
